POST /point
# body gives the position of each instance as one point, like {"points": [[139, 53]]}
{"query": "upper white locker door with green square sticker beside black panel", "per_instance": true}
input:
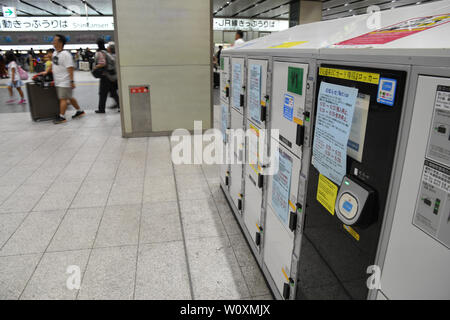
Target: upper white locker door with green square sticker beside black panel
{"points": [[288, 101]]}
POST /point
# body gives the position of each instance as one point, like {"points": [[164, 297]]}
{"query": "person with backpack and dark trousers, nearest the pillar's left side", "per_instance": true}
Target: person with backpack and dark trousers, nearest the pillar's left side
{"points": [[105, 70]]}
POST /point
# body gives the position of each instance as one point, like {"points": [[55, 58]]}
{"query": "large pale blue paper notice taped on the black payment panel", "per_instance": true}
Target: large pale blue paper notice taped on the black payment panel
{"points": [[336, 105]]}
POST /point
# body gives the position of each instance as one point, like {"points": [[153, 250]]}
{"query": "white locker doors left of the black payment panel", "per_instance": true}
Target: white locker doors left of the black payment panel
{"points": [[270, 223]]}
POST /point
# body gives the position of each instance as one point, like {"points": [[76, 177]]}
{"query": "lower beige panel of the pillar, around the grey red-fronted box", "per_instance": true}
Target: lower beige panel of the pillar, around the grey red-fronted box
{"points": [[179, 95]]}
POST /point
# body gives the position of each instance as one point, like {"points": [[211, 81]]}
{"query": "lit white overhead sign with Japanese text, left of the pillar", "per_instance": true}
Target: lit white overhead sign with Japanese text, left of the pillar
{"points": [[30, 24]]}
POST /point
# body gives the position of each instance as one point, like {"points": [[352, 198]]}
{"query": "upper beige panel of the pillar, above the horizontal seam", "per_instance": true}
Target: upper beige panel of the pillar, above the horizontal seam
{"points": [[163, 32]]}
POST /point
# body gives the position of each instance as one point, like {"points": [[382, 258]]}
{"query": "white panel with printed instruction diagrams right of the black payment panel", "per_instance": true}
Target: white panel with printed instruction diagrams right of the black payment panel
{"points": [[418, 258]]}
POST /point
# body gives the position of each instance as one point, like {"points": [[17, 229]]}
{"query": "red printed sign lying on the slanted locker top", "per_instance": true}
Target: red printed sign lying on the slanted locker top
{"points": [[397, 31]]}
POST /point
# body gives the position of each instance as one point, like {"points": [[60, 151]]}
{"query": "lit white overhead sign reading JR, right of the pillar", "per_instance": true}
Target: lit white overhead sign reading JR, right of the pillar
{"points": [[230, 24]]}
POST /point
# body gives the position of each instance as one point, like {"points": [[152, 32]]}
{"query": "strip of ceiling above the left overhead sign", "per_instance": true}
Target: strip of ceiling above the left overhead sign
{"points": [[60, 7]]}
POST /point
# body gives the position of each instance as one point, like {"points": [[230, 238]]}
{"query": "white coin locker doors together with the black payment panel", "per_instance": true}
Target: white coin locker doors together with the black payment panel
{"points": [[314, 233]]}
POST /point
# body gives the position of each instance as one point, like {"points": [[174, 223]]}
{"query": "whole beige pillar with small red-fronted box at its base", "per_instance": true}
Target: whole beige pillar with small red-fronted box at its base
{"points": [[165, 45]]}
